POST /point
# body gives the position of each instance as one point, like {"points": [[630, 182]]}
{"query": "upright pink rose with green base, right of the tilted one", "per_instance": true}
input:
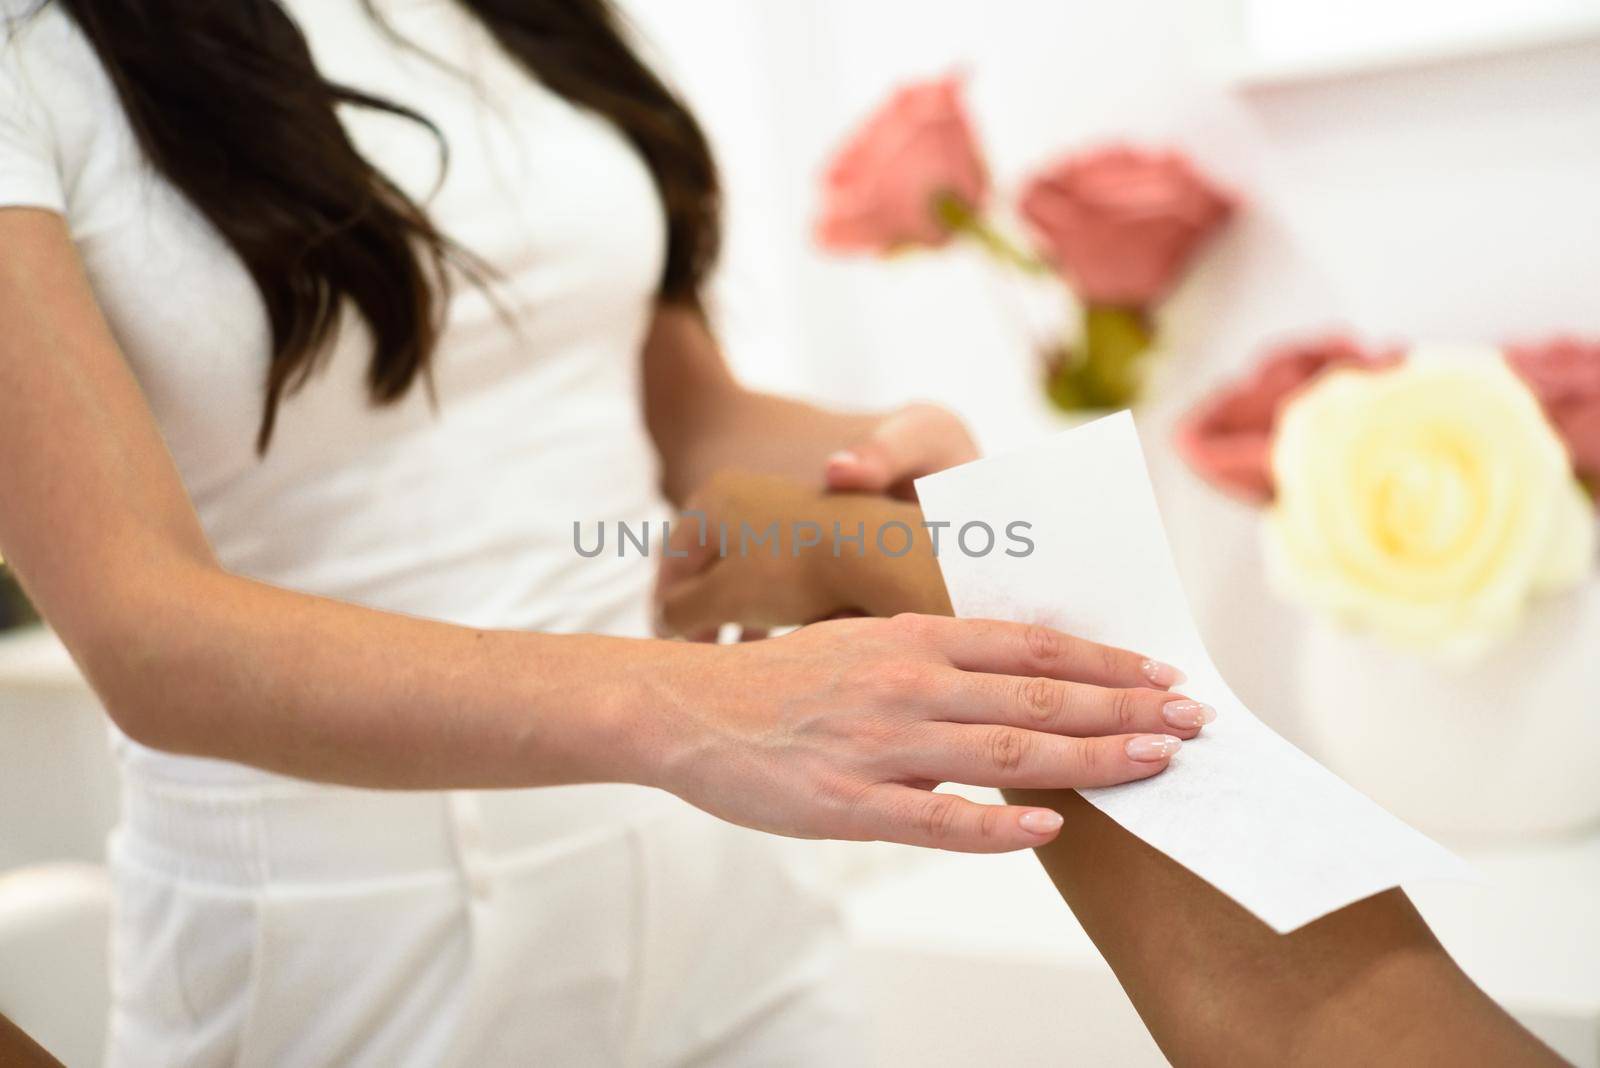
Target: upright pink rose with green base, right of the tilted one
{"points": [[1121, 223]]}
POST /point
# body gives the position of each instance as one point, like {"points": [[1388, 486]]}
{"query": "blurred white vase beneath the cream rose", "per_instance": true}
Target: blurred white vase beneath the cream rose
{"points": [[1497, 751]]}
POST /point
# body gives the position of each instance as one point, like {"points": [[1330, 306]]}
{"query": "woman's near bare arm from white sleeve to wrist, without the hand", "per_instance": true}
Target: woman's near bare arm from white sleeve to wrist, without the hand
{"points": [[194, 660]]}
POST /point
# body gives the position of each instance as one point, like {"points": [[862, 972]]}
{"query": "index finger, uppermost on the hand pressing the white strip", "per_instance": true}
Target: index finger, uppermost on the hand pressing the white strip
{"points": [[988, 645]]}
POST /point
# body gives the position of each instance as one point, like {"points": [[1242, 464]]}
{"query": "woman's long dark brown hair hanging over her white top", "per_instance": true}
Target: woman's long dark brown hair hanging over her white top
{"points": [[228, 106]]}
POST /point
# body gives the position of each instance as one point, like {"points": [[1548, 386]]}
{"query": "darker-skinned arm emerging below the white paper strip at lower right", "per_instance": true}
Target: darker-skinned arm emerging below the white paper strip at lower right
{"points": [[1367, 984]]}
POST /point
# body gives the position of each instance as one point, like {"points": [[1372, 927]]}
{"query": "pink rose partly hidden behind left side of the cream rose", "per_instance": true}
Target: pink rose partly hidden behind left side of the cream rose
{"points": [[1228, 437]]}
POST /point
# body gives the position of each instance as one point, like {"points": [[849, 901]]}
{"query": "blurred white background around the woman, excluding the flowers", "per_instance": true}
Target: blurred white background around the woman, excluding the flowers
{"points": [[1409, 170]]}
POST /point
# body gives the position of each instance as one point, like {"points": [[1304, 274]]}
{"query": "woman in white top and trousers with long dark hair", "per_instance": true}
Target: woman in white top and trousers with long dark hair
{"points": [[297, 418]]}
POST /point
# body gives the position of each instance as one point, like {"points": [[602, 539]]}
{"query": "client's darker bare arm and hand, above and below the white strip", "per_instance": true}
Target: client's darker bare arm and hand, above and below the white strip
{"points": [[1366, 986]]}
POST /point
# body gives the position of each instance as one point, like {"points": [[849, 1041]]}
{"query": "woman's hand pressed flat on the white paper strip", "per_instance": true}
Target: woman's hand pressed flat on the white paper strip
{"points": [[844, 728]]}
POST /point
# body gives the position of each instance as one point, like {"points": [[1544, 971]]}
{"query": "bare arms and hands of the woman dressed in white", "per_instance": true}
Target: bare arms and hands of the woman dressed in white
{"points": [[786, 736]]}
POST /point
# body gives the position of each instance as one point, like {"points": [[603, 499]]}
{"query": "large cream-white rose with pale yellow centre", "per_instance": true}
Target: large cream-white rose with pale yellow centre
{"points": [[1428, 503]]}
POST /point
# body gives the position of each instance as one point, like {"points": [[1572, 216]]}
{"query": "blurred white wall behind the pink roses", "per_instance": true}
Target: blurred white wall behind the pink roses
{"points": [[1458, 201]]}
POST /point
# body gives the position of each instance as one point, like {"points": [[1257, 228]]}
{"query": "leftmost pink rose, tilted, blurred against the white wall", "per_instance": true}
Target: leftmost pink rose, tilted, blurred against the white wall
{"points": [[882, 189]]}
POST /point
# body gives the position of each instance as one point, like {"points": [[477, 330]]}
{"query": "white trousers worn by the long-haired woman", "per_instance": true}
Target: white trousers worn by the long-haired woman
{"points": [[298, 925]]}
